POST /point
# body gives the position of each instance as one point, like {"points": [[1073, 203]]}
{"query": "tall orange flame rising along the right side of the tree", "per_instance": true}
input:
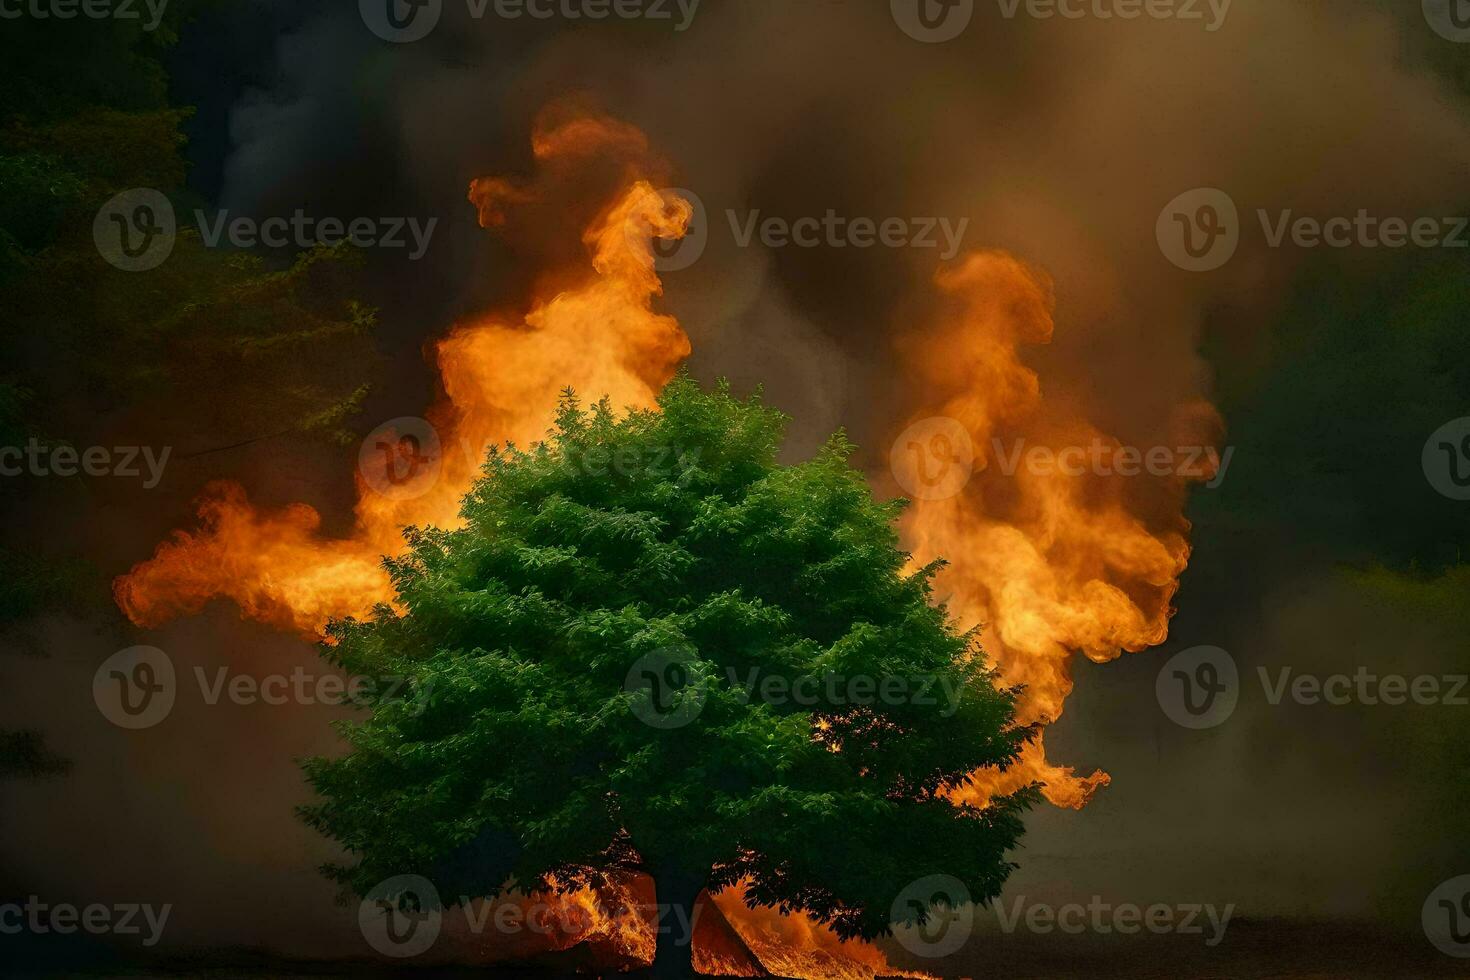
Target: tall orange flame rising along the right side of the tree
{"points": [[1052, 563]]}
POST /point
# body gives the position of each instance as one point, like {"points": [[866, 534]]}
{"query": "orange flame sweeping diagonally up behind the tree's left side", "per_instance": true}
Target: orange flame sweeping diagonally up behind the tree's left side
{"points": [[502, 378]]}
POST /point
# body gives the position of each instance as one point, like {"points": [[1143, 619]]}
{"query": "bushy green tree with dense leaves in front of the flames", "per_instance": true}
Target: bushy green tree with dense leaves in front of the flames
{"points": [[606, 669]]}
